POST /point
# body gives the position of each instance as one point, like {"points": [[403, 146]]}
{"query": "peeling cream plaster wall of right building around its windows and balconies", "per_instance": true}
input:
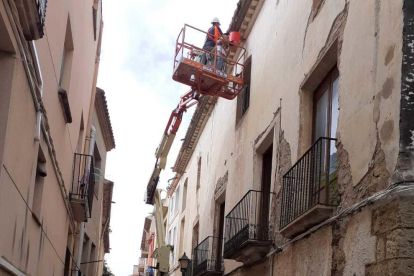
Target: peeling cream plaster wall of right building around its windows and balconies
{"points": [[287, 42]]}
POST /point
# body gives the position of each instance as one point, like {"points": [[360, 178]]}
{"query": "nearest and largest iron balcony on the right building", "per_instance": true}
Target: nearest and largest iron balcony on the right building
{"points": [[309, 189]]}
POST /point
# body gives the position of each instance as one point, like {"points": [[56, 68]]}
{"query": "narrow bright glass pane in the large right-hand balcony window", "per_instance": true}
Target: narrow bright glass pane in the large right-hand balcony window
{"points": [[334, 125]]}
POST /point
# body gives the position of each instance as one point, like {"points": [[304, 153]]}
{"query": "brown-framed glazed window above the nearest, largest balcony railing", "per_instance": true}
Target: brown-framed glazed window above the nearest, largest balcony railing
{"points": [[326, 112]]}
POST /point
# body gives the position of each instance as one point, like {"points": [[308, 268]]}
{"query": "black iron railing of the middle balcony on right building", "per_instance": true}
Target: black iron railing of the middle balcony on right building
{"points": [[248, 221]]}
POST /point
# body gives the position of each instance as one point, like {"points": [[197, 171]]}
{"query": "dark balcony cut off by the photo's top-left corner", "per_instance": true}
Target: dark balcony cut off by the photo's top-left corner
{"points": [[32, 14]]}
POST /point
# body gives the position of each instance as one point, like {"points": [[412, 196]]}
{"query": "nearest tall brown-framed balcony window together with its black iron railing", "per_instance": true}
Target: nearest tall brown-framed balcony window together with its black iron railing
{"points": [[312, 180]]}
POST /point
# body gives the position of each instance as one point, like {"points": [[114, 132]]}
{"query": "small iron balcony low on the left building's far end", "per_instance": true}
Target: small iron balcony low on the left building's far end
{"points": [[83, 186]]}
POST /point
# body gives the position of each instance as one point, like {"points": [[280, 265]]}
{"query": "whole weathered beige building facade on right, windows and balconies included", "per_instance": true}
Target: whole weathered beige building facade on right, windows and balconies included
{"points": [[310, 170]]}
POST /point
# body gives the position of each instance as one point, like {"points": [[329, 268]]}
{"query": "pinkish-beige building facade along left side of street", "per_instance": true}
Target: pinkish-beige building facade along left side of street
{"points": [[55, 132]]}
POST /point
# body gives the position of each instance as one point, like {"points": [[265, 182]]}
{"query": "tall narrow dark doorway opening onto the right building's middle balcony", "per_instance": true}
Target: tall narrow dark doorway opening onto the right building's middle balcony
{"points": [[266, 183]]}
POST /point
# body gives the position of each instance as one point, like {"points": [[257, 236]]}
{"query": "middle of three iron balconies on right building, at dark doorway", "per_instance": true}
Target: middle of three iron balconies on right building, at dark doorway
{"points": [[247, 228]]}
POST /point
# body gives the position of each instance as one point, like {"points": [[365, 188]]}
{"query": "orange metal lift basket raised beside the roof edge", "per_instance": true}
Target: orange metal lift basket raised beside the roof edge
{"points": [[208, 79]]}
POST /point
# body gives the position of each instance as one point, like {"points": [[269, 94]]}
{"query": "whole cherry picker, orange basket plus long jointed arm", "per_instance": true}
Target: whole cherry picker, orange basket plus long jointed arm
{"points": [[204, 79]]}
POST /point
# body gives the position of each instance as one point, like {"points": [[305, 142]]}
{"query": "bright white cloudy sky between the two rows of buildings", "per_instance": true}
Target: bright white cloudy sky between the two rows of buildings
{"points": [[136, 74]]}
